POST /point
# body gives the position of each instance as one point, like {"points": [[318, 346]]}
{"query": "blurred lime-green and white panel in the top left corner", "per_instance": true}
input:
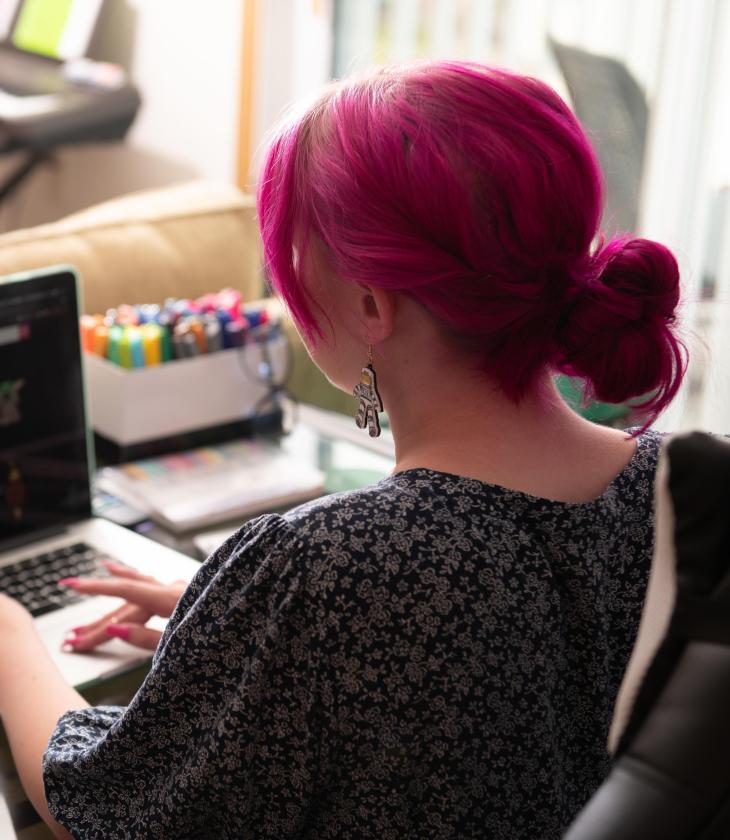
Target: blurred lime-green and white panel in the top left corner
{"points": [[55, 28]]}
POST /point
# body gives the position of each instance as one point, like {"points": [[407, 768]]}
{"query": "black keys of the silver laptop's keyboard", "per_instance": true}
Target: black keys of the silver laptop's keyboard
{"points": [[34, 580]]}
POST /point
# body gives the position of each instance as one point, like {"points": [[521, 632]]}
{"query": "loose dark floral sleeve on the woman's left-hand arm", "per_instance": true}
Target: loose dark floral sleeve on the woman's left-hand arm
{"points": [[222, 737]]}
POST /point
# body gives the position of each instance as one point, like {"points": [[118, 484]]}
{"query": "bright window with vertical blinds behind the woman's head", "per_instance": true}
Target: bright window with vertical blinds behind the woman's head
{"points": [[649, 81]]}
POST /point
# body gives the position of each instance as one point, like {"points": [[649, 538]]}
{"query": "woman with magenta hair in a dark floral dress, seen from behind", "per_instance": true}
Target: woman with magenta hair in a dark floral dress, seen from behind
{"points": [[437, 655]]}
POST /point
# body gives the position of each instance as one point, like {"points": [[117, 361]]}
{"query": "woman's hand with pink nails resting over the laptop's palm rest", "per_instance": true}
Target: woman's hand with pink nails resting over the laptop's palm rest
{"points": [[144, 598]]}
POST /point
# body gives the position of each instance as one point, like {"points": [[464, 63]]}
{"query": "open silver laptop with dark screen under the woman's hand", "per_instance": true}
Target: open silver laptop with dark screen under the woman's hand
{"points": [[47, 530]]}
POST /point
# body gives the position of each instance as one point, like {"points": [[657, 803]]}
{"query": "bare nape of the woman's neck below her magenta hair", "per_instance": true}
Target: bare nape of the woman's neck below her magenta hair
{"points": [[538, 445]]}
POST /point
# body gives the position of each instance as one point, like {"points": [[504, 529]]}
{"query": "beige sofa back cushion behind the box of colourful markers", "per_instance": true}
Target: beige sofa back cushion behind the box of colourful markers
{"points": [[179, 241]]}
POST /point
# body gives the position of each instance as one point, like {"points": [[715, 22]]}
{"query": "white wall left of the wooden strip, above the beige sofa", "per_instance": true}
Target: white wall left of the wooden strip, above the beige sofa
{"points": [[185, 57]]}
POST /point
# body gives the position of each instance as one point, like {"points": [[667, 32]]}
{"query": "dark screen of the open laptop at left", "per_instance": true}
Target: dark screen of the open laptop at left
{"points": [[44, 462]]}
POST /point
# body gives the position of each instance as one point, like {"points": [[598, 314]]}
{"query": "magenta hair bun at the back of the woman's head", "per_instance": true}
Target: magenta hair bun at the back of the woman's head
{"points": [[618, 332]]}
